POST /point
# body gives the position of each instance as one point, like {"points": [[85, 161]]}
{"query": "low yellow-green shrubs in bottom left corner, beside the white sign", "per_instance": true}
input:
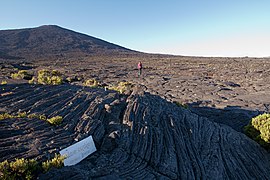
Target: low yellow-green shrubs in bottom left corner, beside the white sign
{"points": [[28, 169]]}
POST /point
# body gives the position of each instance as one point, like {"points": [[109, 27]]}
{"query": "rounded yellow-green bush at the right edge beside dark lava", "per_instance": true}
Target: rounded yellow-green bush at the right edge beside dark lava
{"points": [[259, 130]]}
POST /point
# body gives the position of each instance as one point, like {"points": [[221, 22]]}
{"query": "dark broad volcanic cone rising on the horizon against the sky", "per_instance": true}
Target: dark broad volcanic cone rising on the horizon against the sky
{"points": [[53, 41]]}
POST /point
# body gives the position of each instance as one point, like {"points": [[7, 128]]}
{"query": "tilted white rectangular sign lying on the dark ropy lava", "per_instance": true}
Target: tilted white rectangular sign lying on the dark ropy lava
{"points": [[77, 152]]}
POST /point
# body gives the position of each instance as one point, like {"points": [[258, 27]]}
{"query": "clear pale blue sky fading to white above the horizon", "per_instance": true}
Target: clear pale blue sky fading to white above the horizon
{"points": [[182, 27]]}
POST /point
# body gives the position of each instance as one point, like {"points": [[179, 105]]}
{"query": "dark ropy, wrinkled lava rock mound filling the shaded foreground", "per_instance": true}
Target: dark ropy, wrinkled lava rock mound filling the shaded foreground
{"points": [[141, 136]]}
